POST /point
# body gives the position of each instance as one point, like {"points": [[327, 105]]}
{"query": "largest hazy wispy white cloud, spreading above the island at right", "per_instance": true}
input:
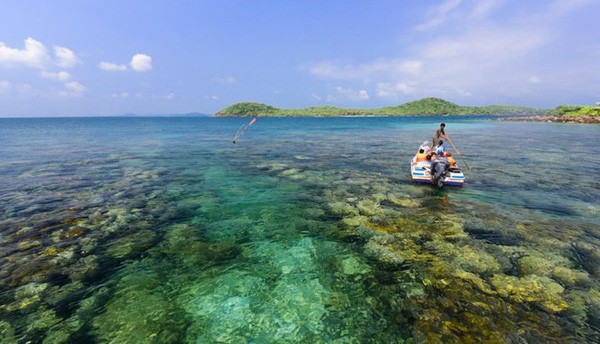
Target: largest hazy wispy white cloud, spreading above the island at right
{"points": [[468, 52]]}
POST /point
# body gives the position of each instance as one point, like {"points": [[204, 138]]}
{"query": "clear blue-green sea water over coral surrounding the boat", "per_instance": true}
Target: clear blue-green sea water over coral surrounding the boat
{"points": [[307, 230]]}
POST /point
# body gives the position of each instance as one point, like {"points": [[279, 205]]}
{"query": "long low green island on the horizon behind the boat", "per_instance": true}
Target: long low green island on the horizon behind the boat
{"points": [[426, 106]]}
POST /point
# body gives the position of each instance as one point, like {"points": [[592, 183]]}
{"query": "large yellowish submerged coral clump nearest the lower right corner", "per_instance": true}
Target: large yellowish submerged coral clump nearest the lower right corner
{"points": [[531, 288]]}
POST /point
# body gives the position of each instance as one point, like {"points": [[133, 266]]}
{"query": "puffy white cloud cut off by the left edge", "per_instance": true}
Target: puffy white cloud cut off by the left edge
{"points": [[33, 55]]}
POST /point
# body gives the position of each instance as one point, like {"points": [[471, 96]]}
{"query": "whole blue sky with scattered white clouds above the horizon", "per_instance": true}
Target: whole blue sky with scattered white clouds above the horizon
{"points": [[66, 58]]}
